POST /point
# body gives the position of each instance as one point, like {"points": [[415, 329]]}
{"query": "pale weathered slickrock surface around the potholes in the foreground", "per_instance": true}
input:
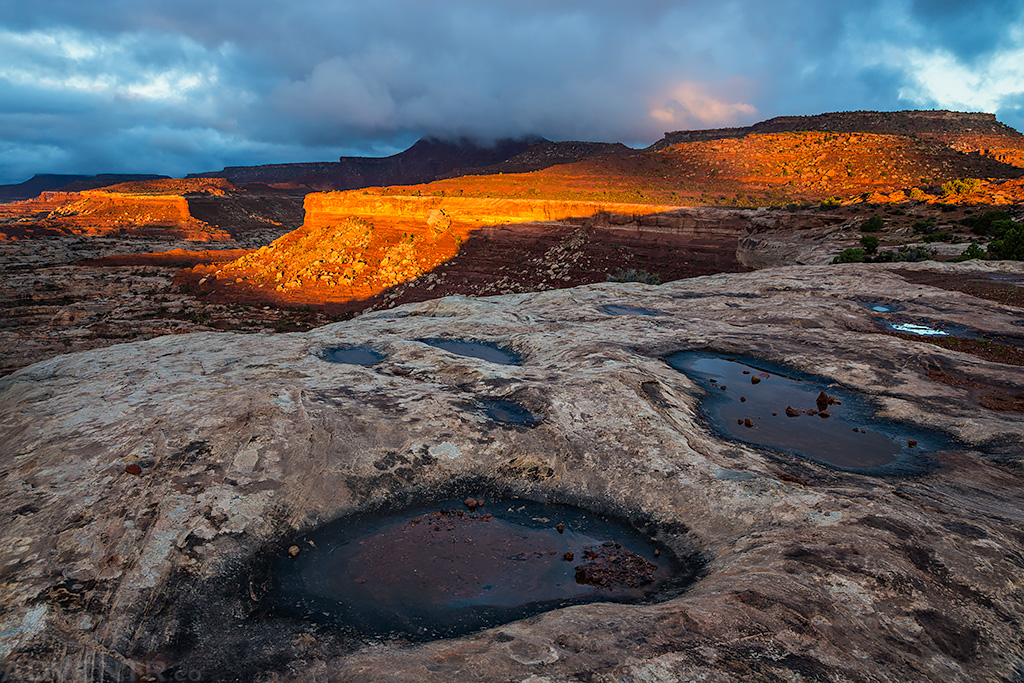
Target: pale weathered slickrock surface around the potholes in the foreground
{"points": [[140, 485]]}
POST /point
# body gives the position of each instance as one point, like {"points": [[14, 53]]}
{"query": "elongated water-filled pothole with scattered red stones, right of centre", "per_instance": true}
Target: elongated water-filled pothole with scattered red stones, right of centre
{"points": [[765, 405]]}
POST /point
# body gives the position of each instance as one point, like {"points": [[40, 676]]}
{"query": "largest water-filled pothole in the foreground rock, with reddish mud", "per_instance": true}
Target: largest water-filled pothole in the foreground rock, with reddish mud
{"points": [[454, 568]]}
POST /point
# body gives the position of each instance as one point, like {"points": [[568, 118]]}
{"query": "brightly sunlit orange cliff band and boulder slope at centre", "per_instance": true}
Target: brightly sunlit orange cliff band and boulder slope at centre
{"points": [[355, 245]]}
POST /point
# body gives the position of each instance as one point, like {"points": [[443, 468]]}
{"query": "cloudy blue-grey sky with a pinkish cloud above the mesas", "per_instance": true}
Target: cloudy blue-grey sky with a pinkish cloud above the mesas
{"points": [[180, 87]]}
